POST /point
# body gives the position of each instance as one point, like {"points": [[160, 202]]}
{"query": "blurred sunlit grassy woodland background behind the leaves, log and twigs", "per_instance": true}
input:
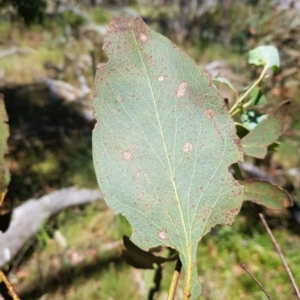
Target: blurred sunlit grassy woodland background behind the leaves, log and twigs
{"points": [[49, 53]]}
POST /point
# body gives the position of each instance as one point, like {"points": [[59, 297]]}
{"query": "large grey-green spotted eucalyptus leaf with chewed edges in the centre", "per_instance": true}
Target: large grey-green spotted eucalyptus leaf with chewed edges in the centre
{"points": [[163, 143]]}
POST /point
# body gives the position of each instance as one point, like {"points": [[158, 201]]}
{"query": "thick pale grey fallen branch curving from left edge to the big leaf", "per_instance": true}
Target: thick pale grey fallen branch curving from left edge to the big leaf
{"points": [[30, 216]]}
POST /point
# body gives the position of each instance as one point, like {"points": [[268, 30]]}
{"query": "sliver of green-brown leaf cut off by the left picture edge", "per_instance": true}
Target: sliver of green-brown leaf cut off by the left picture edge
{"points": [[4, 133]]}
